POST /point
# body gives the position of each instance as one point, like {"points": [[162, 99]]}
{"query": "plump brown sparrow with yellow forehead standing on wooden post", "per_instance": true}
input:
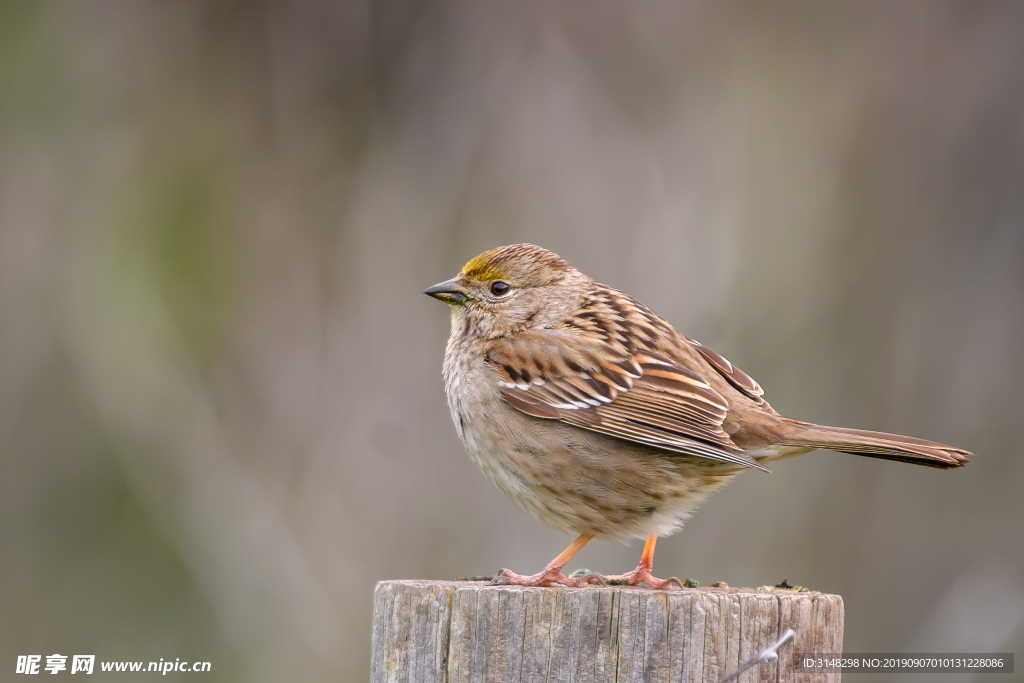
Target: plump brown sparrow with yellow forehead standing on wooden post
{"points": [[599, 418]]}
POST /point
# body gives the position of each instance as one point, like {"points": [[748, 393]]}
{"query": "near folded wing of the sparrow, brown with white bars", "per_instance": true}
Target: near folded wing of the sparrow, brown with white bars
{"points": [[641, 397]]}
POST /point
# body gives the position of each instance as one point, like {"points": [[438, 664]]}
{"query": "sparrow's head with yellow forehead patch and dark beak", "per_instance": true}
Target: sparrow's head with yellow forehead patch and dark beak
{"points": [[513, 288]]}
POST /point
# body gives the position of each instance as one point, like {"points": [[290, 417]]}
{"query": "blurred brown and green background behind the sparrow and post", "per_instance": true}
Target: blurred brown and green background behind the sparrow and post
{"points": [[222, 412]]}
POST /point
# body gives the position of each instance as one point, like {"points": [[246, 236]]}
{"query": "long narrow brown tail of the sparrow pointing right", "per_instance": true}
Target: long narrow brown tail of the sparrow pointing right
{"points": [[874, 445]]}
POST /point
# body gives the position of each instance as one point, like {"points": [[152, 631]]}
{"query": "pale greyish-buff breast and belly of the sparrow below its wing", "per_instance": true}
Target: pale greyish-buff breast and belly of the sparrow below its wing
{"points": [[577, 481]]}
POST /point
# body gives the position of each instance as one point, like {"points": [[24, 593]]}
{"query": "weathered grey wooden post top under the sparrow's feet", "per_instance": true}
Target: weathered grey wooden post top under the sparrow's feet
{"points": [[464, 632]]}
